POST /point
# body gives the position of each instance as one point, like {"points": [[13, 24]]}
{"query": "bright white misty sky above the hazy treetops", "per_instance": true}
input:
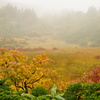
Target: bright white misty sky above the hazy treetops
{"points": [[54, 6]]}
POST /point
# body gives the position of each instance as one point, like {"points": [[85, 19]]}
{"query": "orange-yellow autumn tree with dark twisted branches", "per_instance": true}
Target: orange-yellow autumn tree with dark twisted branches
{"points": [[26, 75]]}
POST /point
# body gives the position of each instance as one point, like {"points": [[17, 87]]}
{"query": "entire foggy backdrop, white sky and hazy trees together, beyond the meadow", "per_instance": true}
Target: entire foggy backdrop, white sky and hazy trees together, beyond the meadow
{"points": [[49, 23]]}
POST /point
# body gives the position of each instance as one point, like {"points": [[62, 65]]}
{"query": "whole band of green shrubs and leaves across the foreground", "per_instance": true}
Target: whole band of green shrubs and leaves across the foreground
{"points": [[76, 91]]}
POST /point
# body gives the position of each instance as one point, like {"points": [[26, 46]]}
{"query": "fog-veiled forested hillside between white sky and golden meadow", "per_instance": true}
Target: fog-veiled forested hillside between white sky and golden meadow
{"points": [[23, 28]]}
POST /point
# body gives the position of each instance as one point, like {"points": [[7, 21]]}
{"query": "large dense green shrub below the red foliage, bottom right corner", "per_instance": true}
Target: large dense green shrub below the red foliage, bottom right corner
{"points": [[77, 91]]}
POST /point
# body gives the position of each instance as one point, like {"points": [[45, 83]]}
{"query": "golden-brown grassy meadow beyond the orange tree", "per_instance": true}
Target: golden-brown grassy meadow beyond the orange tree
{"points": [[71, 63]]}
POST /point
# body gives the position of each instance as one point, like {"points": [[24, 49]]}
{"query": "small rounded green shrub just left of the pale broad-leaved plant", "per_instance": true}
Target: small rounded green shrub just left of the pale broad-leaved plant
{"points": [[39, 91]]}
